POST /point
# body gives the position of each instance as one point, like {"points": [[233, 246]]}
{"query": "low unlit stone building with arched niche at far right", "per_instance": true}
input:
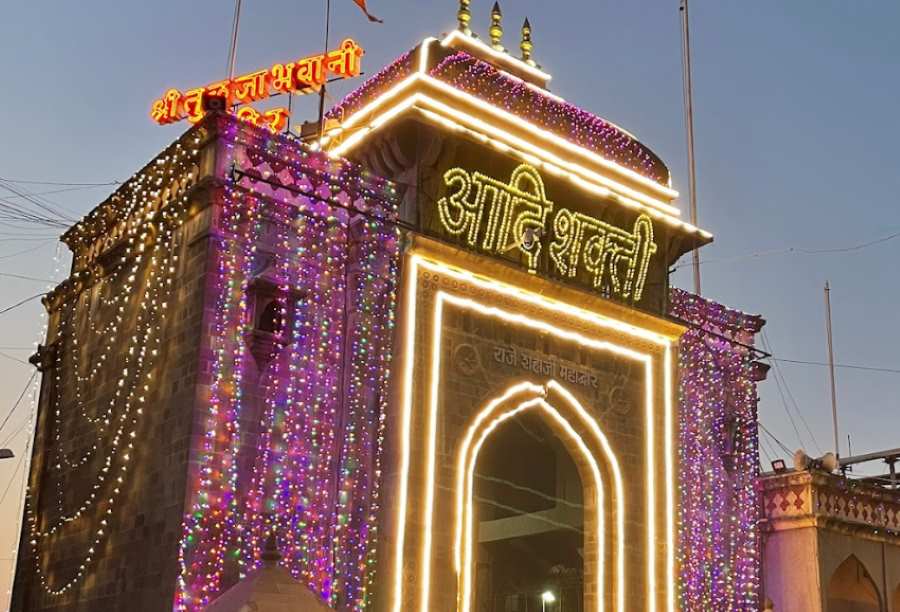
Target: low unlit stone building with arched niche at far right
{"points": [[831, 543]]}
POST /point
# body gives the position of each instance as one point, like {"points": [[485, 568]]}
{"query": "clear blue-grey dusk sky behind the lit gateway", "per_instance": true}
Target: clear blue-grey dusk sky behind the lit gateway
{"points": [[796, 117]]}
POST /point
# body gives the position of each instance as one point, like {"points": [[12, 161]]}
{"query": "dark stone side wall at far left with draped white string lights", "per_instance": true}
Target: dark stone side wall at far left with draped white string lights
{"points": [[120, 364]]}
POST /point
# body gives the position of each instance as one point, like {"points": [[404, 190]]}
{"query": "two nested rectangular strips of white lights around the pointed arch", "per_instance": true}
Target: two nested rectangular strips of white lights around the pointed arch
{"points": [[662, 341]]}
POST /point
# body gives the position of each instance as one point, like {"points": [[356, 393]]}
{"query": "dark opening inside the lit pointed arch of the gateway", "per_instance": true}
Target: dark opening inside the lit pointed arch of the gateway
{"points": [[529, 511]]}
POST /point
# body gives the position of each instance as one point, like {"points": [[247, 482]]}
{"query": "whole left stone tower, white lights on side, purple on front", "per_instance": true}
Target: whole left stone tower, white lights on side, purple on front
{"points": [[211, 322]]}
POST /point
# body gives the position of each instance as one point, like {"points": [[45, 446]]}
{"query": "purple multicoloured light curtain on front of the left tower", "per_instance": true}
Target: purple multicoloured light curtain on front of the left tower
{"points": [[310, 474]]}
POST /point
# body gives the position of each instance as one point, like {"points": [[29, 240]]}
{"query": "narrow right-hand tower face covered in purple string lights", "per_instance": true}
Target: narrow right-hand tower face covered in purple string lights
{"points": [[719, 553]]}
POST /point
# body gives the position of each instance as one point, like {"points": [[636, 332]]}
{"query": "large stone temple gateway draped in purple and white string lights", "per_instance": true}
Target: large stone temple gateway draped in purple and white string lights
{"points": [[436, 354]]}
